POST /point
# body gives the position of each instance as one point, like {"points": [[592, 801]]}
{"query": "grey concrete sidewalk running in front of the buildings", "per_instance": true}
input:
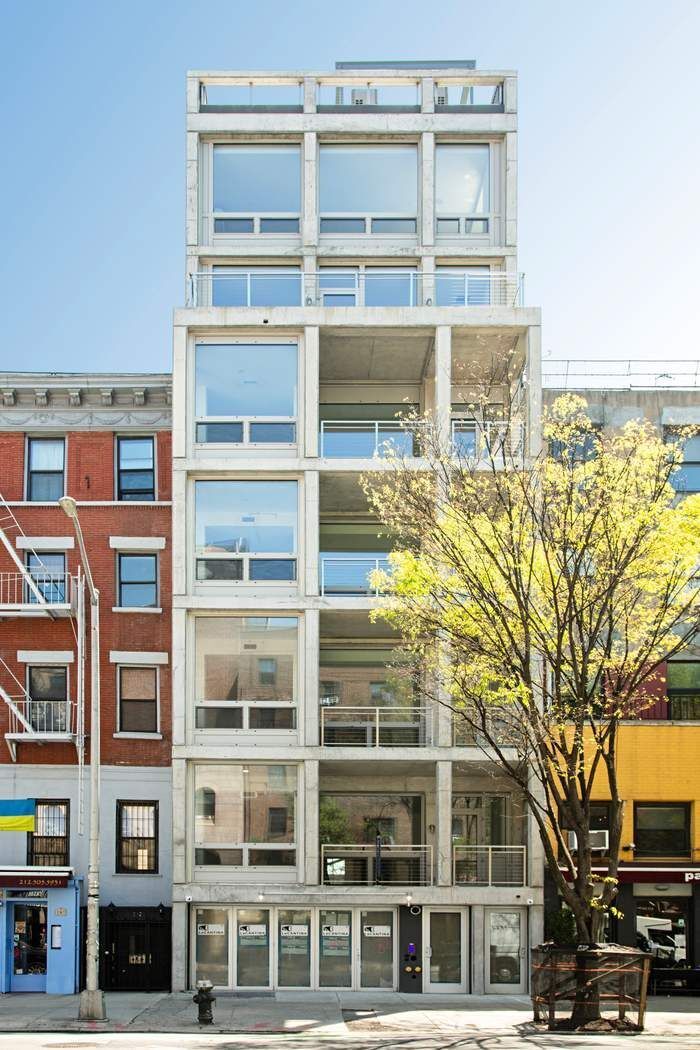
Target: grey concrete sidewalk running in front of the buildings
{"points": [[332, 1016]]}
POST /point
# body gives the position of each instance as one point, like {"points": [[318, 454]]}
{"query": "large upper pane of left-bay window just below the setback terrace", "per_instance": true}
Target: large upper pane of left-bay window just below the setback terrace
{"points": [[246, 380]]}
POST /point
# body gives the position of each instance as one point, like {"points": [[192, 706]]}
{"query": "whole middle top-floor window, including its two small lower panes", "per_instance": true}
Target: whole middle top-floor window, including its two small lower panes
{"points": [[369, 188]]}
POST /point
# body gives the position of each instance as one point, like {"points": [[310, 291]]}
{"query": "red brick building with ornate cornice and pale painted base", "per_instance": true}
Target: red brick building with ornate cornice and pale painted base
{"points": [[104, 440]]}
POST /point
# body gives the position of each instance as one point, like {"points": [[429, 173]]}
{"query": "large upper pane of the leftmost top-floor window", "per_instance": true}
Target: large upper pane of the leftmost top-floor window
{"points": [[258, 179]]}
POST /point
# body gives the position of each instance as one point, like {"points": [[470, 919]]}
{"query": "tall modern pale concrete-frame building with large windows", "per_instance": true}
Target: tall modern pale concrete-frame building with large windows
{"points": [[352, 254]]}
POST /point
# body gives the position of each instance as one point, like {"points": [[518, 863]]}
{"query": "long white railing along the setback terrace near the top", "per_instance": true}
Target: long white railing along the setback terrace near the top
{"points": [[353, 288]]}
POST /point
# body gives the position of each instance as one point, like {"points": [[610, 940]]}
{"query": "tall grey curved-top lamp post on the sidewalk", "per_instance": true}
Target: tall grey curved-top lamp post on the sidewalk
{"points": [[92, 999]]}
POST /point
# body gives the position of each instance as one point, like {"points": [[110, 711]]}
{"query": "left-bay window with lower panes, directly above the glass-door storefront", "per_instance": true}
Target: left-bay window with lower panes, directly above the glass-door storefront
{"points": [[250, 820]]}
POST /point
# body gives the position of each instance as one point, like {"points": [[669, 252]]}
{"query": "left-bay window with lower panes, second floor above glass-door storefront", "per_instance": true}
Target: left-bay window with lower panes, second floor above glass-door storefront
{"points": [[246, 673]]}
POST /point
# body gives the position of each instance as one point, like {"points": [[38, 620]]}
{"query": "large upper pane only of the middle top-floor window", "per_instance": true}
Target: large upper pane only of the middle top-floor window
{"points": [[369, 180]]}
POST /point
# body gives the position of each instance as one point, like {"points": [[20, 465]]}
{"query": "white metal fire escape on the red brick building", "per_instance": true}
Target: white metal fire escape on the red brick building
{"points": [[32, 594]]}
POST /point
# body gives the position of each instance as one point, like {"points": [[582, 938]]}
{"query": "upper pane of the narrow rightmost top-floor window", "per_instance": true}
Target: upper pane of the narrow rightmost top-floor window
{"points": [[462, 180]]}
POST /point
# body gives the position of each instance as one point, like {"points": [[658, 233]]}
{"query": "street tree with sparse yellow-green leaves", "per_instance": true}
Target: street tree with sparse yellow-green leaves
{"points": [[556, 592]]}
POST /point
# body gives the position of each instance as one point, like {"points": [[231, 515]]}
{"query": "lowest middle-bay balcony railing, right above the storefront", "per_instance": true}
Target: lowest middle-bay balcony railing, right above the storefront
{"points": [[374, 865]]}
